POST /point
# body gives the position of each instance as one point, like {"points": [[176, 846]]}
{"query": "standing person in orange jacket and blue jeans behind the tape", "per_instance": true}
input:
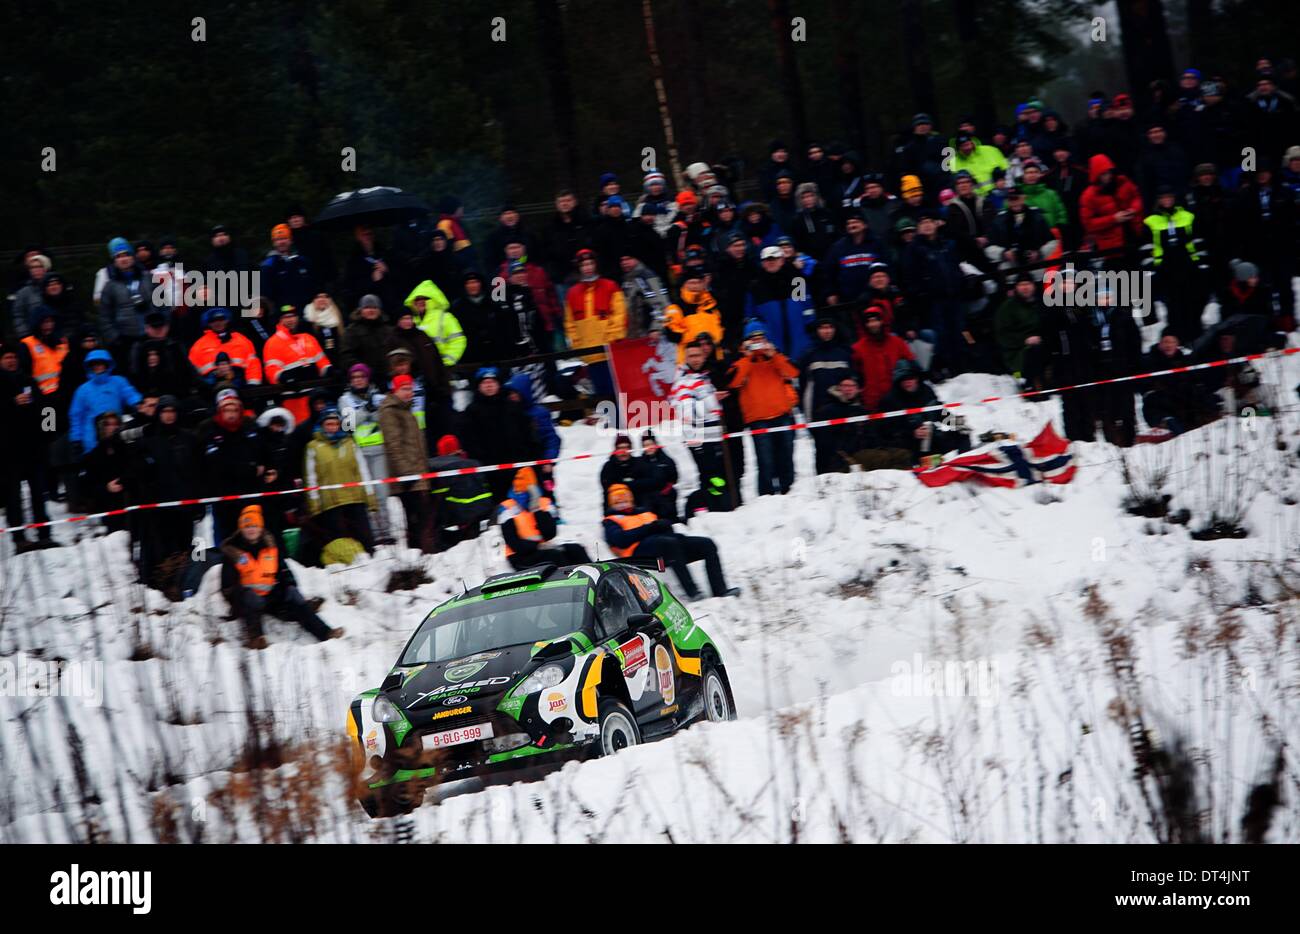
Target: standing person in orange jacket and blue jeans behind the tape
{"points": [[764, 380]]}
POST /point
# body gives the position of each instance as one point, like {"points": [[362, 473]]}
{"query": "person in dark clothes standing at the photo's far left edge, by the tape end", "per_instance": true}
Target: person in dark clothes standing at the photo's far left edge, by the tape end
{"points": [[27, 462]]}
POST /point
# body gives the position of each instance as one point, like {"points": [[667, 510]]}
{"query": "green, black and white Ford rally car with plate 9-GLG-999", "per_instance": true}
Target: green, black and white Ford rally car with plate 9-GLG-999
{"points": [[532, 668]]}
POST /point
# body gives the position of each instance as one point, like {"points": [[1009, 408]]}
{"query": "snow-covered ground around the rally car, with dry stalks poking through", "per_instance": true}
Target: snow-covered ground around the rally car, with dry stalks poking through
{"points": [[911, 664]]}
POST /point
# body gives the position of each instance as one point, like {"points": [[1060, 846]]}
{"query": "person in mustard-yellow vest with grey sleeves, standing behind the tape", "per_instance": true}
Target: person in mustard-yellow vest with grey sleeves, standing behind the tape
{"points": [[333, 457]]}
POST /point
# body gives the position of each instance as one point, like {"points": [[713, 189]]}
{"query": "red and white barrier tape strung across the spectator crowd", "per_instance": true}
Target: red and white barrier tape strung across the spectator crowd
{"points": [[491, 469]]}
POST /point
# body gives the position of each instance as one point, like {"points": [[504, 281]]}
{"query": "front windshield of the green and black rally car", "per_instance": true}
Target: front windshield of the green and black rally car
{"points": [[496, 622]]}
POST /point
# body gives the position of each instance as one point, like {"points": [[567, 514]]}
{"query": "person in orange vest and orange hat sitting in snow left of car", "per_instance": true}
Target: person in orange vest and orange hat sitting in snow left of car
{"points": [[255, 580]]}
